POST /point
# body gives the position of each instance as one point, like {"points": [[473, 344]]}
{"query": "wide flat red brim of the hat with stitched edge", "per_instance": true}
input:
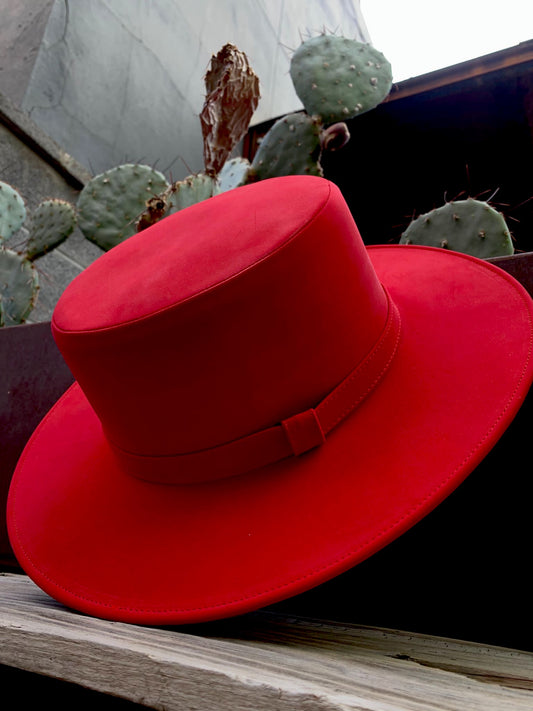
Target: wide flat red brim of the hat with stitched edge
{"points": [[117, 547]]}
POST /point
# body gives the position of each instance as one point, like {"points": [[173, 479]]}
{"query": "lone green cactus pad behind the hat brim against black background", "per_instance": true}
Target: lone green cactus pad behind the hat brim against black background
{"points": [[469, 226]]}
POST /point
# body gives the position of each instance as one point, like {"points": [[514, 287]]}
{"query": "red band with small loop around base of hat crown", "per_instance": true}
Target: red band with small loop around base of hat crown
{"points": [[294, 436]]}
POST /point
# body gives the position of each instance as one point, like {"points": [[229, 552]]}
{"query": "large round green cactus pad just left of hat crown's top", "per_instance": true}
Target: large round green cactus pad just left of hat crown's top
{"points": [[110, 204]]}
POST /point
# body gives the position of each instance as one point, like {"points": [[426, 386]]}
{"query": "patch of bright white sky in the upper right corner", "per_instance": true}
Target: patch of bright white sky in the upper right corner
{"points": [[419, 36]]}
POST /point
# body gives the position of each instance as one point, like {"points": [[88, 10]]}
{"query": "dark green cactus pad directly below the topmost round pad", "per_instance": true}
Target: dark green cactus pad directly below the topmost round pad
{"points": [[291, 147]]}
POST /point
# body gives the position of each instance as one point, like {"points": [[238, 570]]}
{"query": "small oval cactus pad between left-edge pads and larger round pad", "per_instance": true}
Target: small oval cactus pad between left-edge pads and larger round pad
{"points": [[51, 223]]}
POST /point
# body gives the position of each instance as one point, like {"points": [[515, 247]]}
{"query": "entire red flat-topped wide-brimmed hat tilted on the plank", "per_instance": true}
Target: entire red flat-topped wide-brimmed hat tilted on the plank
{"points": [[261, 403]]}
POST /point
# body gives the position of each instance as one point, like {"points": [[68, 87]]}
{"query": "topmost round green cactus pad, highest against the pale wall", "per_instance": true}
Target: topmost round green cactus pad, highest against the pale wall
{"points": [[337, 78]]}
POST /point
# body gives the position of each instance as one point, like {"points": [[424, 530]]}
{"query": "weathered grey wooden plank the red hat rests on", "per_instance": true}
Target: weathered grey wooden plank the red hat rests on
{"points": [[258, 661]]}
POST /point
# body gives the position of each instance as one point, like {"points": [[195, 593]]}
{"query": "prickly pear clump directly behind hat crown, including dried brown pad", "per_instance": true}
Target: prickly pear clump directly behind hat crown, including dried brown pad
{"points": [[130, 198]]}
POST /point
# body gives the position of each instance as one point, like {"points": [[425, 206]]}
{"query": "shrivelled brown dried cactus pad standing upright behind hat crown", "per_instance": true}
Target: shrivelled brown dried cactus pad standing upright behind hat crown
{"points": [[232, 97]]}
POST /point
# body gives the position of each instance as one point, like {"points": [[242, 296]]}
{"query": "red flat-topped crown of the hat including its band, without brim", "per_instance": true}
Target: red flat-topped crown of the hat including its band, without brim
{"points": [[248, 359]]}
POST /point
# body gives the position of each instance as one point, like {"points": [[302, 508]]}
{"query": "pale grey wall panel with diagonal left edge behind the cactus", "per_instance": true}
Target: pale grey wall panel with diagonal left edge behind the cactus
{"points": [[122, 80]]}
